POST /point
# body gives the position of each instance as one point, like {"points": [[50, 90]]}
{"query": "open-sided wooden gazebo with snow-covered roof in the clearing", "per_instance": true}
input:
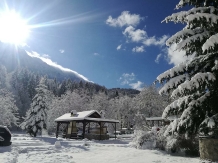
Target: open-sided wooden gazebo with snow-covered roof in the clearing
{"points": [[86, 124]]}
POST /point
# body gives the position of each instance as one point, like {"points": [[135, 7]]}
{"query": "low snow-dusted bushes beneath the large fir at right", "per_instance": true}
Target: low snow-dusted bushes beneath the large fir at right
{"points": [[171, 143]]}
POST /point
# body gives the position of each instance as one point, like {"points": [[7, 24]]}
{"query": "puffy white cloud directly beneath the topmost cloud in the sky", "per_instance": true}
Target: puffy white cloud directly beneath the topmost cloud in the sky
{"points": [[135, 35]]}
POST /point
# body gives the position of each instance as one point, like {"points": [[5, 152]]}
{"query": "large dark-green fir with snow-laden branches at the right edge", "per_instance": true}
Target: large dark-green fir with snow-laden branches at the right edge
{"points": [[193, 84]]}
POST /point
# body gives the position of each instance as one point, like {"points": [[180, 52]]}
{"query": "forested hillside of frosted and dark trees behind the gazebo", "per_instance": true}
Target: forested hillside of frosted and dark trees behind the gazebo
{"points": [[19, 90]]}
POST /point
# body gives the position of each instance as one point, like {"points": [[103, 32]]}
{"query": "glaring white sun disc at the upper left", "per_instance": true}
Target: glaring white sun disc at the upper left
{"points": [[13, 29]]}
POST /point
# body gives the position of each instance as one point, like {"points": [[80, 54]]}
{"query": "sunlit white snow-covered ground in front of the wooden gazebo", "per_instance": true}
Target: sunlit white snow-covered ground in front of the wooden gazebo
{"points": [[25, 149]]}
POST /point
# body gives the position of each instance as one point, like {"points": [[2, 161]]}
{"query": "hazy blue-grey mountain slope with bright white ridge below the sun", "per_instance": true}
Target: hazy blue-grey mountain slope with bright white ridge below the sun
{"points": [[14, 57]]}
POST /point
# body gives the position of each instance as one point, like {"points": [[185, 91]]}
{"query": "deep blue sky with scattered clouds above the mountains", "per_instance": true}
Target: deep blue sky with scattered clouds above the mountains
{"points": [[115, 43]]}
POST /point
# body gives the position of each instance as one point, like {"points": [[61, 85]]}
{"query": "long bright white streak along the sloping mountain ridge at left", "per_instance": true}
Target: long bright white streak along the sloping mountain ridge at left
{"points": [[51, 63]]}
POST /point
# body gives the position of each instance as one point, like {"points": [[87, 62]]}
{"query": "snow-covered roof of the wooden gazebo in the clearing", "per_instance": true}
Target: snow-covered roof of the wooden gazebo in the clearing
{"points": [[83, 116]]}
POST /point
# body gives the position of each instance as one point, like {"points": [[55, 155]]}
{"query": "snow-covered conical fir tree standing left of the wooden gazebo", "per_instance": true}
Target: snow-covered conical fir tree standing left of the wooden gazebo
{"points": [[36, 116]]}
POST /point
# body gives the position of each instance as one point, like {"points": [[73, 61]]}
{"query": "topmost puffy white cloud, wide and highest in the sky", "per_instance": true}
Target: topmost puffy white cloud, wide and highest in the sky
{"points": [[125, 19]]}
